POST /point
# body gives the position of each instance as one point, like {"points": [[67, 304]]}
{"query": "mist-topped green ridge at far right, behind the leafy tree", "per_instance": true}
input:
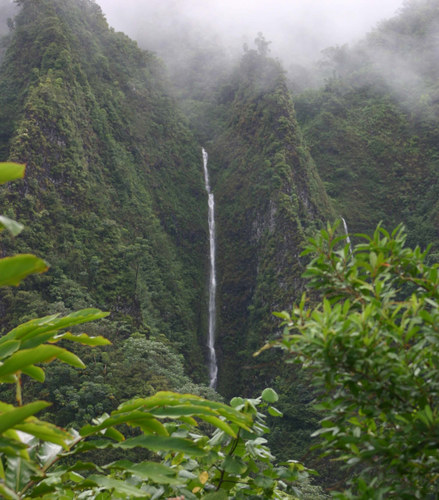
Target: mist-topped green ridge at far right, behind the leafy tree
{"points": [[373, 127]]}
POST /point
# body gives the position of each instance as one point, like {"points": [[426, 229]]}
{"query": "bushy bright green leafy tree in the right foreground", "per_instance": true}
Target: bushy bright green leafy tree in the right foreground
{"points": [[372, 347]]}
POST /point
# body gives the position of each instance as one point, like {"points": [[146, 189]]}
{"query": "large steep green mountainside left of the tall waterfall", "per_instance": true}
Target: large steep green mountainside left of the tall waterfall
{"points": [[113, 195]]}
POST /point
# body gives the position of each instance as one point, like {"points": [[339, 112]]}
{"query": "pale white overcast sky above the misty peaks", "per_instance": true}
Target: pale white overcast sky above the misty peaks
{"points": [[302, 26]]}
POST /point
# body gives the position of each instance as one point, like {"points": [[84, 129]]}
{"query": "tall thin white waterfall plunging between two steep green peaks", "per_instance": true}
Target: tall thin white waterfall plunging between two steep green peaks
{"points": [[213, 367]]}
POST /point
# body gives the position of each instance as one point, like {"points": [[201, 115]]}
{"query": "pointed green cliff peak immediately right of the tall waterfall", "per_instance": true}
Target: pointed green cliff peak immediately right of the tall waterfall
{"points": [[269, 196]]}
